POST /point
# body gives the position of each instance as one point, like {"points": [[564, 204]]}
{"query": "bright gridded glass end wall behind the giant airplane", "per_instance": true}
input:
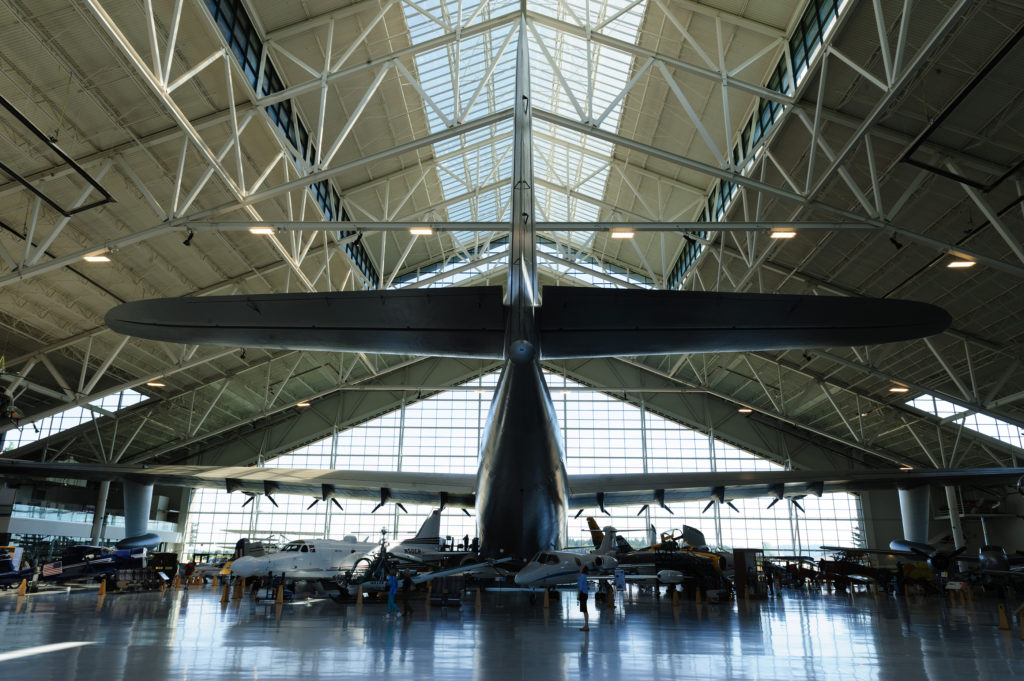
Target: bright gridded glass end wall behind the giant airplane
{"points": [[603, 435]]}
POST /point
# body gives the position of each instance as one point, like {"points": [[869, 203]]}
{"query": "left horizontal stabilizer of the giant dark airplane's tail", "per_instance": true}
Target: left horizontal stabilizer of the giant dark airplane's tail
{"points": [[460, 322]]}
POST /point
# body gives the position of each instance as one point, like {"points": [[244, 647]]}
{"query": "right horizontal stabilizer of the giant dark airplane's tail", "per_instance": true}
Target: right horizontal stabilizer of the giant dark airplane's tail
{"points": [[604, 323]]}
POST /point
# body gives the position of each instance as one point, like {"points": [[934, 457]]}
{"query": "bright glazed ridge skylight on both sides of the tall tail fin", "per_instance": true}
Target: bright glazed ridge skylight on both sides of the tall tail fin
{"points": [[477, 76]]}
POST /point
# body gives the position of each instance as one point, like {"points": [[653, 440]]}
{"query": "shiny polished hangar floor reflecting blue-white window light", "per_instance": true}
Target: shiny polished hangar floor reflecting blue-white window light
{"points": [[191, 635]]}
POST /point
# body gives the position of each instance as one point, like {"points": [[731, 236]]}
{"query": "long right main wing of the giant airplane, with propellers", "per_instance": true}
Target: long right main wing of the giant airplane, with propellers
{"points": [[636, 489]]}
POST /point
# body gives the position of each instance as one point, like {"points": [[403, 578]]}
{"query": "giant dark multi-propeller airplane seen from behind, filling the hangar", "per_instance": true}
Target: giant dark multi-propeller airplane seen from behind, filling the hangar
{"points": [[522, 491]]}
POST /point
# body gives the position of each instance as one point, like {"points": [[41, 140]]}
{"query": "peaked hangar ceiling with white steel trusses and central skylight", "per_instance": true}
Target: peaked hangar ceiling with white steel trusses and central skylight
{"points": [[904, 127]]}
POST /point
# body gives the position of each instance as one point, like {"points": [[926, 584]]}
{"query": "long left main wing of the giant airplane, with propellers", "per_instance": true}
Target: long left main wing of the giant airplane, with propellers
{"points": [[439, 489]]}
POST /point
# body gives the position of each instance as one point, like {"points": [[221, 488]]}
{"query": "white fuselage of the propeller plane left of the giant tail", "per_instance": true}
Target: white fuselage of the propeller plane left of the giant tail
{"points": [[312, 560]]}
